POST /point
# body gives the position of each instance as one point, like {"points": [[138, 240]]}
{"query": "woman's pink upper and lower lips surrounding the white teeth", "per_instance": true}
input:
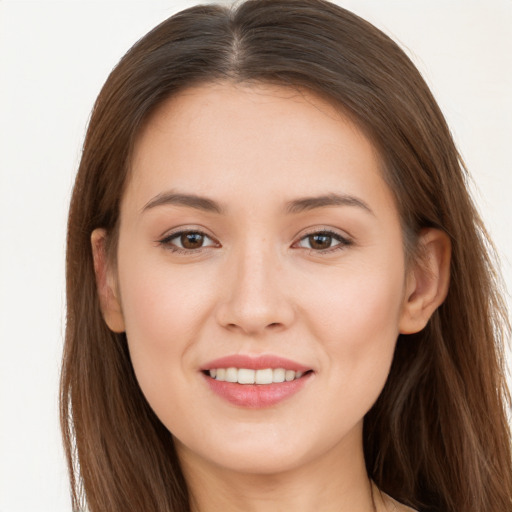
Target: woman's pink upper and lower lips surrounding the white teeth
{"points": [[256, 396]]}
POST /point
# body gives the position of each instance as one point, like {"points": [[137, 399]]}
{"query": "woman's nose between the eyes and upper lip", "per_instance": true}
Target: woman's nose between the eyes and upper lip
{"points": [[255, 298]]}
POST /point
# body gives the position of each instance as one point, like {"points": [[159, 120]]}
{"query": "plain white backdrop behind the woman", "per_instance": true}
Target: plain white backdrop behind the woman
{"points": [[54, 58]]}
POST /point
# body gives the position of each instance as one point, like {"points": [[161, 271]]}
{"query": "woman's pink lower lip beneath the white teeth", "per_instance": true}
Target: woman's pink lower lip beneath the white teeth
{"points": [[256, 396]]}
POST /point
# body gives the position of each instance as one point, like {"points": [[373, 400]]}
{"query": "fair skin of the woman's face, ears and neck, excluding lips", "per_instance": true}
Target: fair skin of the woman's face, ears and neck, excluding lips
{"points": [[257, 286]]}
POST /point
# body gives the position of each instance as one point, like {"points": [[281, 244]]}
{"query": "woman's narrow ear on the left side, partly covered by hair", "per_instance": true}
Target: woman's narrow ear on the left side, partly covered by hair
{"points": [[106, 283]]}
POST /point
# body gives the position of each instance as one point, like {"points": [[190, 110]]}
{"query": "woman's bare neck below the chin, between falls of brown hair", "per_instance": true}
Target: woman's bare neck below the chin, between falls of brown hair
{"points": [[335, 482]]}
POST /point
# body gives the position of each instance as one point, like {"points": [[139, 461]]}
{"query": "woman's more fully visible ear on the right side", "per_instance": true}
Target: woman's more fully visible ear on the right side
{"points": [[427, 281]]}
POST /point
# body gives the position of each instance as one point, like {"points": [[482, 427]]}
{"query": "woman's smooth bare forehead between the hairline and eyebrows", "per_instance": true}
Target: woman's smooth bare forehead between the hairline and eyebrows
{"points": [[252, 141]]}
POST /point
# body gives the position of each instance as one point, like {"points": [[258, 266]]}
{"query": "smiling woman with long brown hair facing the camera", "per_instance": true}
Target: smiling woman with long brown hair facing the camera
{"points": [[279, 292]]}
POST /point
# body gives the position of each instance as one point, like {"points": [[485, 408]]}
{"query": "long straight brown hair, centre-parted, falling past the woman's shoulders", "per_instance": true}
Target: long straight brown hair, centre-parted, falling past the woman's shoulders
{"points": [[437, 438]]}
